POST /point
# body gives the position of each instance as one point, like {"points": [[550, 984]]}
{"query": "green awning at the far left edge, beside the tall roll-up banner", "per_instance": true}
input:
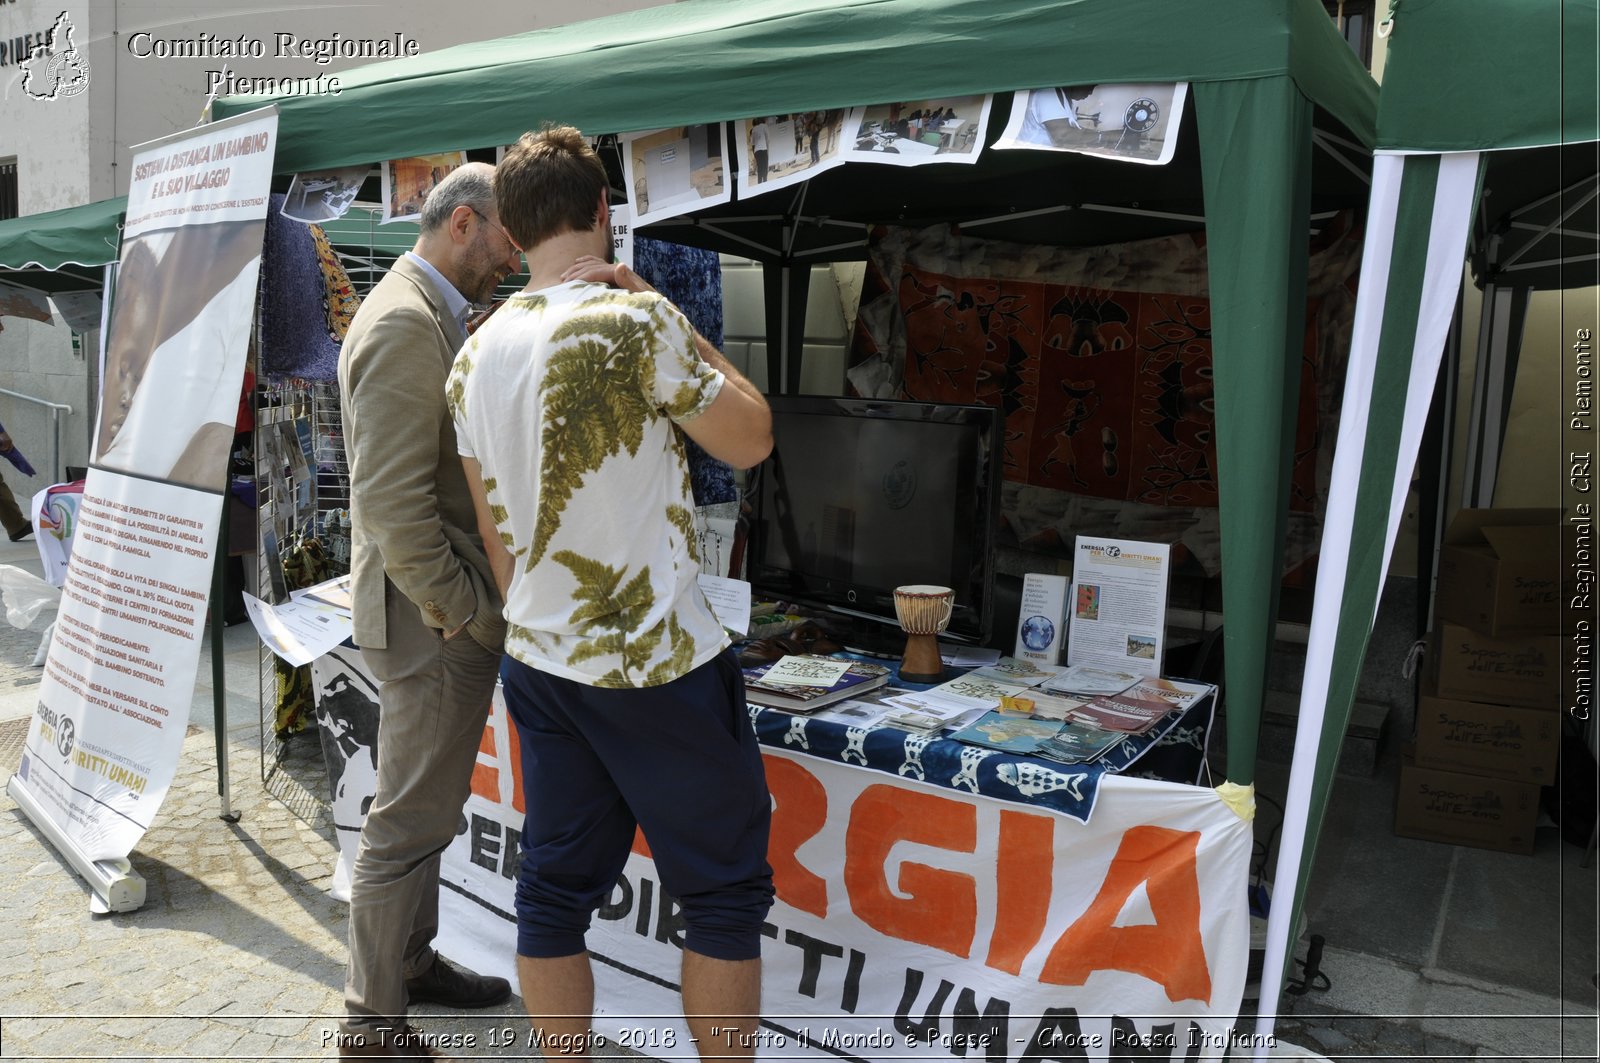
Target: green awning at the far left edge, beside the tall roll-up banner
{"points": [[62, 251]]}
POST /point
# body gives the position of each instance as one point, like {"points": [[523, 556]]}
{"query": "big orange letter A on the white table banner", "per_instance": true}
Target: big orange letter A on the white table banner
{"points": [[1170, 952]]}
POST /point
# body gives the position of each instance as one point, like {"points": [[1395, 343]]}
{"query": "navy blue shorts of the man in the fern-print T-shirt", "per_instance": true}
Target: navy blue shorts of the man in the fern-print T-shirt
{"points": [[679, 761]]}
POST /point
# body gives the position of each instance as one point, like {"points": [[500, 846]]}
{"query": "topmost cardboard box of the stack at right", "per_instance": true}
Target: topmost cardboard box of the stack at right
{"points": [[1500, 572]]}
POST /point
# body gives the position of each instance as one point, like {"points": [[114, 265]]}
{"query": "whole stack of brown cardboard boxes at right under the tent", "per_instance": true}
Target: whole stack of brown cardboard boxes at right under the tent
{"points": [[1489, 721]]}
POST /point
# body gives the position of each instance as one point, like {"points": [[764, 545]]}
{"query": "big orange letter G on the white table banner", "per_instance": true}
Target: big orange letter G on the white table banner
{"points": [[940, 909]]}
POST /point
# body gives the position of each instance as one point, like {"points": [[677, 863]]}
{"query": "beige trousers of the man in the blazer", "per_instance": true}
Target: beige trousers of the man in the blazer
{"points": [[433, 704]]}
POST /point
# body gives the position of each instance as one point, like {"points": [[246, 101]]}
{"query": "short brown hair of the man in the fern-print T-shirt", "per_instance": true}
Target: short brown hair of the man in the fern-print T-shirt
{"points": [[550, 183]]}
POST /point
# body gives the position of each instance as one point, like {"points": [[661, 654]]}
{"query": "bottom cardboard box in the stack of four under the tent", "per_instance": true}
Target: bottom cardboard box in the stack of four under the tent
{"points": [[1466, 809]]}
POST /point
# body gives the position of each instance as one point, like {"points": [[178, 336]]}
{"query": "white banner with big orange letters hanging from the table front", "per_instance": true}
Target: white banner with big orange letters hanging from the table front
{"points": [[918, 921]]}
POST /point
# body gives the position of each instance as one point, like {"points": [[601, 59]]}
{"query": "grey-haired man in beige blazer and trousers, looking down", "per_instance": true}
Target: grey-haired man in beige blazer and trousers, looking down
{"points": [[428, 614]]}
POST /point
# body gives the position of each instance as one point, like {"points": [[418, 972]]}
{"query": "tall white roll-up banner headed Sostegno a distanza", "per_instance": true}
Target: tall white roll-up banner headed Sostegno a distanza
{"points": [[114, 700]]}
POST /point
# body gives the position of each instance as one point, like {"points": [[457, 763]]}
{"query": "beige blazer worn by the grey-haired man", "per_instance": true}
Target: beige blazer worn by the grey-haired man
{"points": [[412, 516]]}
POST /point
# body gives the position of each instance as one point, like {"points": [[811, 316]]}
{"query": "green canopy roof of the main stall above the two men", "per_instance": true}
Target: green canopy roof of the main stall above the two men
{"points": [[713, 60]]}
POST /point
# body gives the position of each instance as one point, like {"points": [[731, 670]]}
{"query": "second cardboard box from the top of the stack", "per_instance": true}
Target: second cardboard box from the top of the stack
{"points": [[1471, 667]]}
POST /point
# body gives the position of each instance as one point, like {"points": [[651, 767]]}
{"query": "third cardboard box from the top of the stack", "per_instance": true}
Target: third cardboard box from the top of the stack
{"points": [[1478, 739]]}
